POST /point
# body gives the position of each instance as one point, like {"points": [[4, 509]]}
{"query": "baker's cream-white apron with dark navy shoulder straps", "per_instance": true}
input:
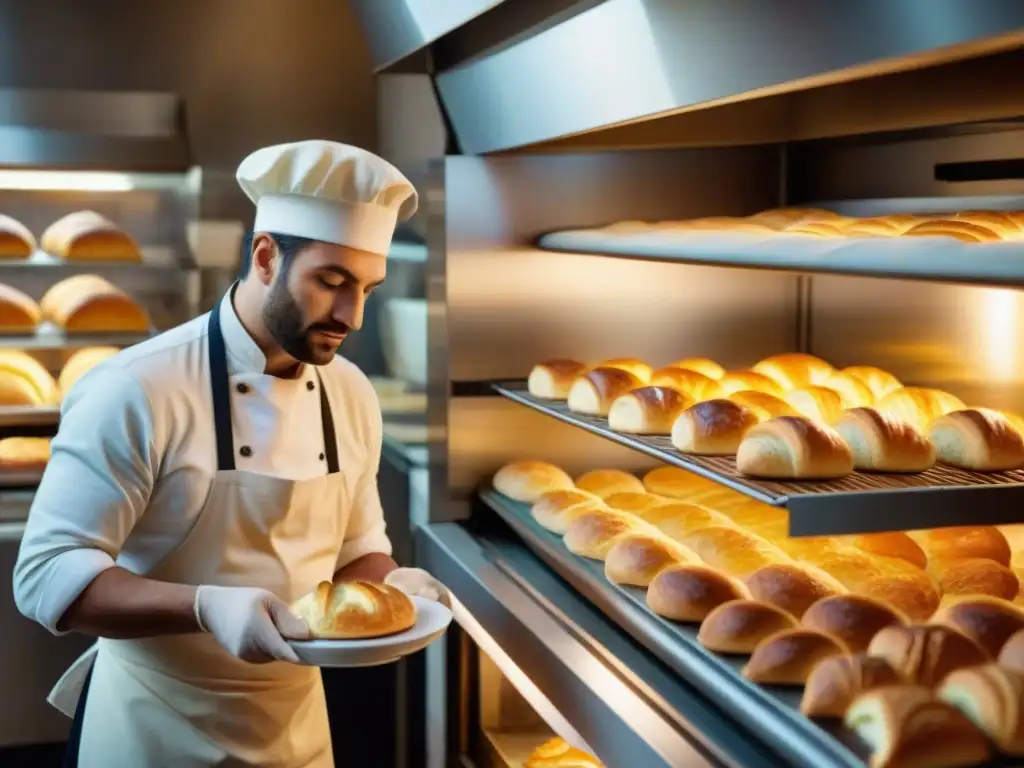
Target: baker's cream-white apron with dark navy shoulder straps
{"points": [[182, 701]]}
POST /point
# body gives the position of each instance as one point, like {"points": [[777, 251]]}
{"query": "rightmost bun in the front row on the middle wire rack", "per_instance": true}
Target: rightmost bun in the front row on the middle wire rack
{"points": [[979, 440]]}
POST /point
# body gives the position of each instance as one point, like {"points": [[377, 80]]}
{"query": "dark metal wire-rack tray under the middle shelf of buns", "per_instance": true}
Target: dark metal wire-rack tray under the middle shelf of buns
{"points": [[860, 503]]}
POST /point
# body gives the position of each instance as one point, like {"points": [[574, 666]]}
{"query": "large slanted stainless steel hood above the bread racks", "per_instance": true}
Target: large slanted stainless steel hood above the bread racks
{"points": [[625, 61]]}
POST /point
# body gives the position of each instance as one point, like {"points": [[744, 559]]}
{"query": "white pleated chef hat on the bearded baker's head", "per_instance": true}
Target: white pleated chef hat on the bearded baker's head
{"points": [[327, 192]]}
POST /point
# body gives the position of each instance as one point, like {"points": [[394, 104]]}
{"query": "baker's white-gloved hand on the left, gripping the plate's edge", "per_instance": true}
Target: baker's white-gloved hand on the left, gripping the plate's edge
{"points": [[249, 624]]}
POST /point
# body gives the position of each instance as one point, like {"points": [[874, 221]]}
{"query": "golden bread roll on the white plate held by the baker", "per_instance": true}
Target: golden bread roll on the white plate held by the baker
{"points": [[356, 610]]}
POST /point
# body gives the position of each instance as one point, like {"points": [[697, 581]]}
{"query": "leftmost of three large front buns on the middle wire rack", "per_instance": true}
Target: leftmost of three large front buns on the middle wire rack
{"points": [[793, 448]]}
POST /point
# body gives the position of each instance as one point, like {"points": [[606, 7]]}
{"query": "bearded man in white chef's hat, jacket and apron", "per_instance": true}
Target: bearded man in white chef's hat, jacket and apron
{"points": [[203, 481]]}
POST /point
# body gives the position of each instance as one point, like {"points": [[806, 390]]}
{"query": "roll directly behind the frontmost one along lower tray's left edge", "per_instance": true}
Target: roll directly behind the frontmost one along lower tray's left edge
{"points": [[836, 682]]}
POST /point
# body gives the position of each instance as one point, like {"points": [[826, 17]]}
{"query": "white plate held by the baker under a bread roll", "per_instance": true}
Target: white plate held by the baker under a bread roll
{"points": [[432, 621]]}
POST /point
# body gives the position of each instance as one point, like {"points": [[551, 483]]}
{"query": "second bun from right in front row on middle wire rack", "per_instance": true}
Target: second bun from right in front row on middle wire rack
{"points": [[882, 443]]}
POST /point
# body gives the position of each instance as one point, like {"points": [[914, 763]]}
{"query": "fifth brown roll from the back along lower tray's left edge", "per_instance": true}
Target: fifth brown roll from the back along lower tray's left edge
{"points": [[689, 592]]}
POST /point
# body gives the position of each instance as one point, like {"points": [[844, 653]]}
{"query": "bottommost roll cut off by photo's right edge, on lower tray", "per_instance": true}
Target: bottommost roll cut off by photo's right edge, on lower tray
{"points": [[993, 699]]}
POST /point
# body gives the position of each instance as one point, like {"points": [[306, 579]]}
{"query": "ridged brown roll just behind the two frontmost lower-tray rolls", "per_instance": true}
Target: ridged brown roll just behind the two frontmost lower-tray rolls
{"points": [[924, 655]]}
